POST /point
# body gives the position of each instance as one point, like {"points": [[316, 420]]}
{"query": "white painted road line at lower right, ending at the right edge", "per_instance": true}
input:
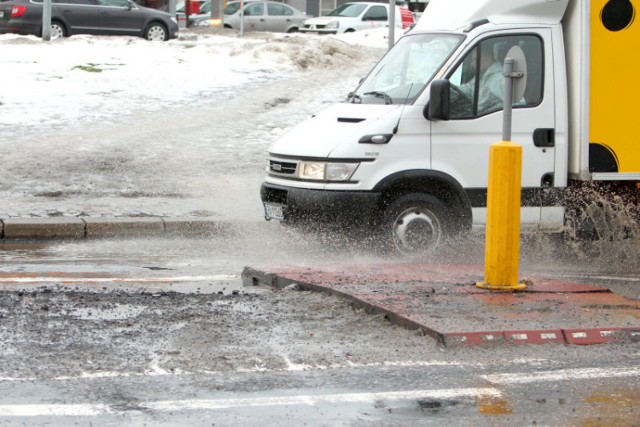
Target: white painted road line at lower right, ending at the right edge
{"points": [[562, 375]]}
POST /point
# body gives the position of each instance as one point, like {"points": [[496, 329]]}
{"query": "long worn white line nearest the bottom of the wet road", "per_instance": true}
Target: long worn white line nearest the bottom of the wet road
{"points": [[212, 404]]}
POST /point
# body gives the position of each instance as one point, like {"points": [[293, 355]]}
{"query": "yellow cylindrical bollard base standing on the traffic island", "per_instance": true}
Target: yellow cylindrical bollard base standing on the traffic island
{"points": [[502, 251]]}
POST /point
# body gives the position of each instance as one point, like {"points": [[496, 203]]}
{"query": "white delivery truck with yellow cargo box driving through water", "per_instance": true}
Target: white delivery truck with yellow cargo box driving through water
{"points": [[407, 154]]}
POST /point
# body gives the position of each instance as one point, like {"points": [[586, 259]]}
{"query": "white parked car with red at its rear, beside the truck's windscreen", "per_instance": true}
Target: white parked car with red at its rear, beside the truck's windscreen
{"points": [[357, 16]]}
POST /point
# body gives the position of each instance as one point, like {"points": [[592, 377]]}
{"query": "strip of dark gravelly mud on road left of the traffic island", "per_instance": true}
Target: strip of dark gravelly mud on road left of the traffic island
{"points": [[46, 333]]}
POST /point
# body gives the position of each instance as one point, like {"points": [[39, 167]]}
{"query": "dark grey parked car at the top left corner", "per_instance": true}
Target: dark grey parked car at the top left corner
{"points": [[101, 17]]}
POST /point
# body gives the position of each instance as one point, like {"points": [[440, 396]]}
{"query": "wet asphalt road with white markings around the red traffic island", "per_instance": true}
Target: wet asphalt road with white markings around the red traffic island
{"points": [[161, 332]]}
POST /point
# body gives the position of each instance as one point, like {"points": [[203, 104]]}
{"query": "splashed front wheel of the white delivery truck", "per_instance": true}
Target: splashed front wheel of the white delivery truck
{"points": [[415, 224]]}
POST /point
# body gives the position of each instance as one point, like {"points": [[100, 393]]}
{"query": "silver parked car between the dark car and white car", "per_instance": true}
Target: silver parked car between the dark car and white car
{"points": [[264, 16]]}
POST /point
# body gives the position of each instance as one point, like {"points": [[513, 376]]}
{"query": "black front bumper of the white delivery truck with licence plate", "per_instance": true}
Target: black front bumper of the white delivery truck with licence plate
{"points": [[354, 207]]}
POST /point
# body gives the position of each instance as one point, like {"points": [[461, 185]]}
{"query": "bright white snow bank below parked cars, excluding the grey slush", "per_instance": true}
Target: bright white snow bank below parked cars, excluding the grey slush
{"points": [[84, 78]]}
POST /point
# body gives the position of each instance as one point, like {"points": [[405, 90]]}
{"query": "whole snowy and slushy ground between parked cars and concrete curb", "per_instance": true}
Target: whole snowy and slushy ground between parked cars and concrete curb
{"points": [[118, 125]]}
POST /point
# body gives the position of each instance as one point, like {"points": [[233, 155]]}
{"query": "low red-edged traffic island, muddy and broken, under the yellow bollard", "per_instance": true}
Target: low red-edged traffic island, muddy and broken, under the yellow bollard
{"points": [[380, 294]]}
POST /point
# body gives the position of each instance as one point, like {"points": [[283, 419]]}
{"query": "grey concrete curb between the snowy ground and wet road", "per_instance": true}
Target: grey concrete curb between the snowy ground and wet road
{"points": [[95, 228]]}
